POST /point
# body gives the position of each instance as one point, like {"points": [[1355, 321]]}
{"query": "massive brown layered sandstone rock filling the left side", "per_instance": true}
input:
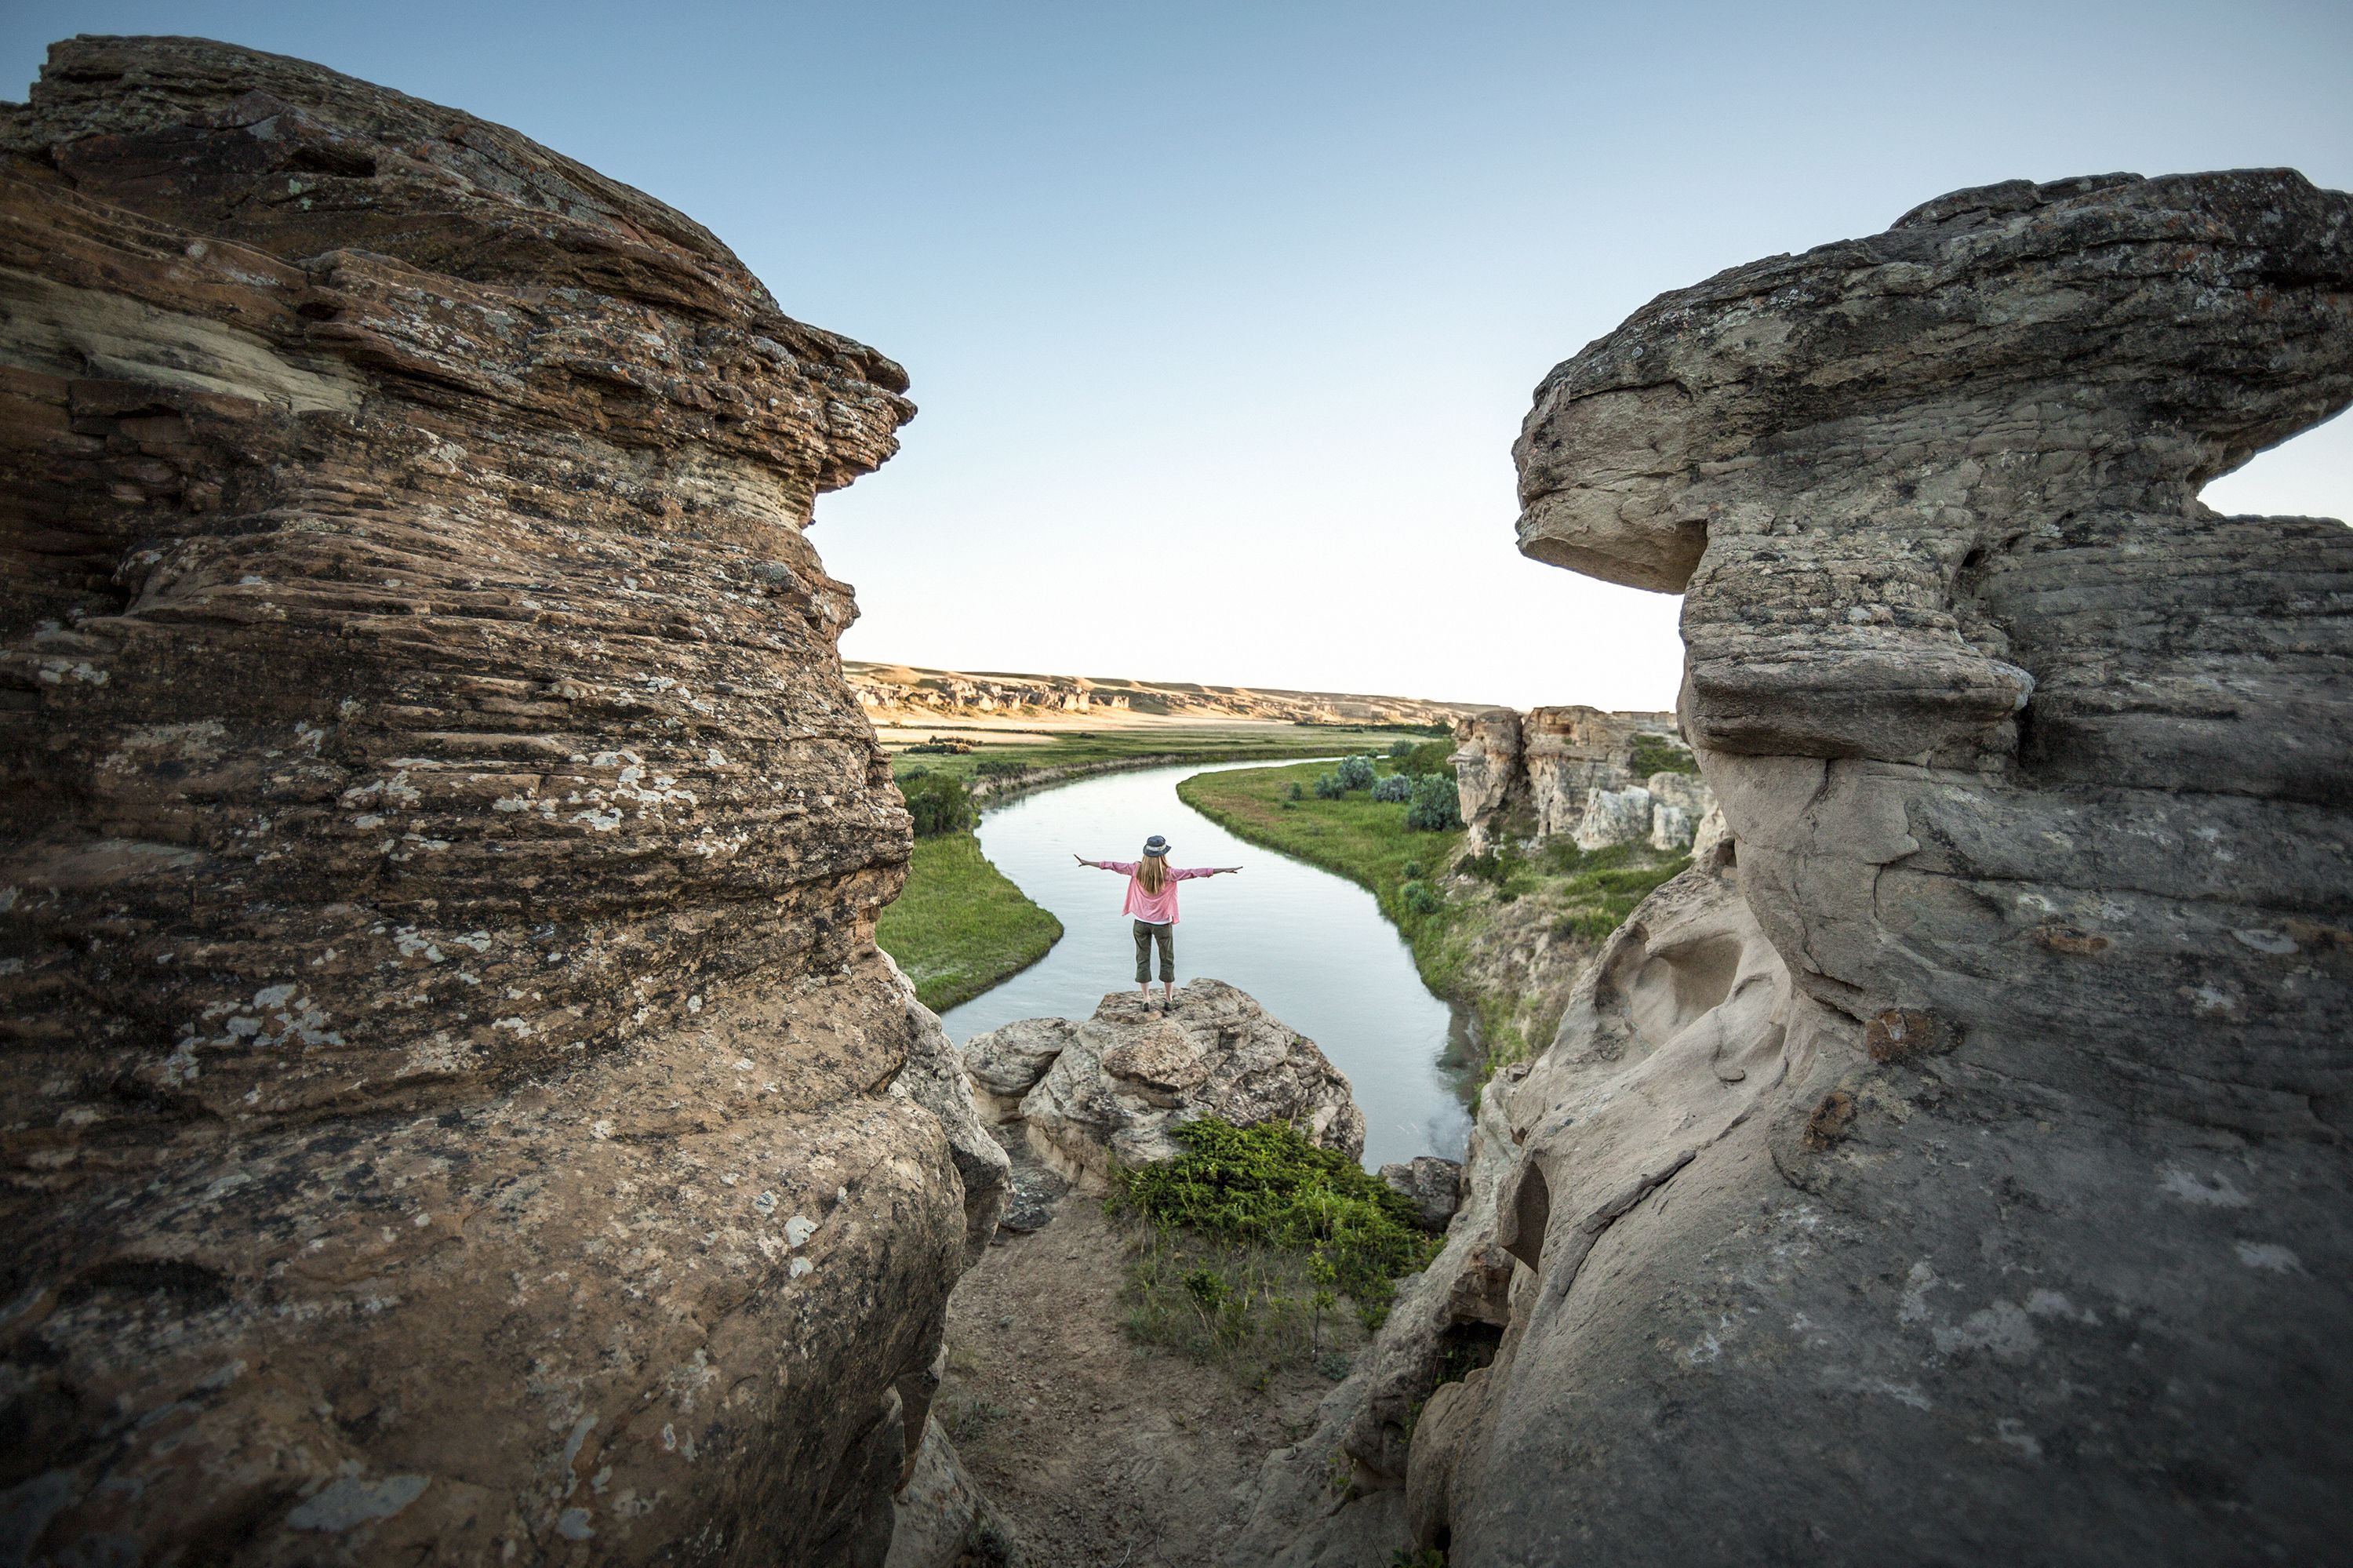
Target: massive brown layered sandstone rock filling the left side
{"points": [[455, 1108]]}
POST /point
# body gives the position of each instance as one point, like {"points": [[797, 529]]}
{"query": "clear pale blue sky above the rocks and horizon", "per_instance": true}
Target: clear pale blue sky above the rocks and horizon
{"points": [[1241, 305]]}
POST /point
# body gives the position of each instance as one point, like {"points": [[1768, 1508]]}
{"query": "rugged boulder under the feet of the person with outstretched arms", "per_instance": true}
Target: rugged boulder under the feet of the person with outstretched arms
{"points": [[1112, 1087]]}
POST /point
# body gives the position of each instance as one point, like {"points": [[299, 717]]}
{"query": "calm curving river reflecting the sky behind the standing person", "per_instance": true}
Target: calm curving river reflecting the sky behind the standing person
{"points": [[1309, 945]]}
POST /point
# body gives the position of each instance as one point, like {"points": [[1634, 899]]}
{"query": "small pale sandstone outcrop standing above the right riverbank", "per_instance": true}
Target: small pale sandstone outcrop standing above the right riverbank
{"points": [[1571, 773]]}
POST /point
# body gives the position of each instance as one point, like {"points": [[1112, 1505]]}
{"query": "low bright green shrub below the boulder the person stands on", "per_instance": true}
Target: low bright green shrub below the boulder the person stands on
{"points": [[1269, 1185]]}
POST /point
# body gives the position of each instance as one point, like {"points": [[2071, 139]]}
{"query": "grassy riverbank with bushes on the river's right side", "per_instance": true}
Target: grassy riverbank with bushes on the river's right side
{"points": [[1505, 934]]}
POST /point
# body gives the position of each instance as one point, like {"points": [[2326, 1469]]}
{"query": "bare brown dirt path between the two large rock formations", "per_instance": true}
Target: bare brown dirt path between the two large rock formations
{"points": [[1100, 1451]]}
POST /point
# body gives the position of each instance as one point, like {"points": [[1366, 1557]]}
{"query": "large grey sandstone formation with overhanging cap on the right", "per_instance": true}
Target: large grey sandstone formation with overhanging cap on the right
{"points": [[1978, 1188]]}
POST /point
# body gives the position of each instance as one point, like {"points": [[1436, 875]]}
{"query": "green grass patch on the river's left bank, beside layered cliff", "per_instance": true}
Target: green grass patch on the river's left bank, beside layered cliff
{"points": [[961, 926]]}
